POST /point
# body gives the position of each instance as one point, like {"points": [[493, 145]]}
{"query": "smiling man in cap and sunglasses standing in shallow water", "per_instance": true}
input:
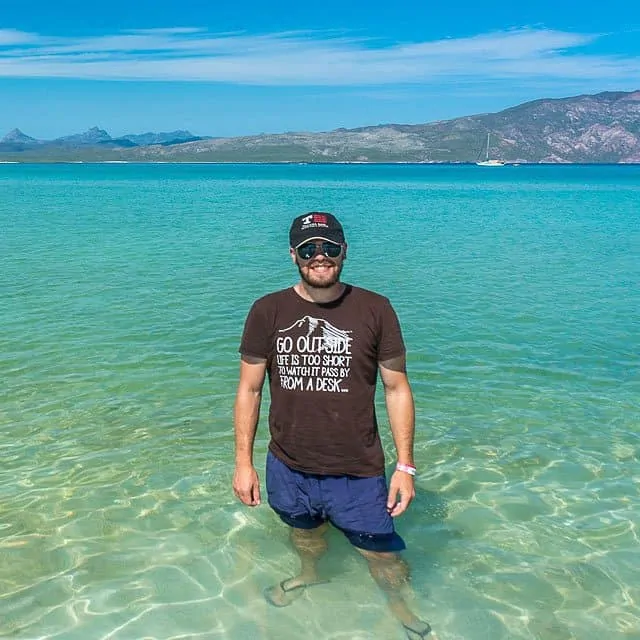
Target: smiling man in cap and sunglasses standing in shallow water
{"points": [[322, 344]]}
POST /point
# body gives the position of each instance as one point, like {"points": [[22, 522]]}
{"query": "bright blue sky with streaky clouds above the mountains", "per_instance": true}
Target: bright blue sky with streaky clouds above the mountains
{"points": [[240, 68]]}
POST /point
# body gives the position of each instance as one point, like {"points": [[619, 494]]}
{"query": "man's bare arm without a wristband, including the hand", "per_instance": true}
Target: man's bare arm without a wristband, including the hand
{"points": [[246, 413]]}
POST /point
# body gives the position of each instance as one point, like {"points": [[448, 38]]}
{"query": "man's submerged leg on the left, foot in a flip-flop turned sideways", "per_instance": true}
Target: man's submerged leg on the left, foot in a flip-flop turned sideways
{"points": [[310, 545]]}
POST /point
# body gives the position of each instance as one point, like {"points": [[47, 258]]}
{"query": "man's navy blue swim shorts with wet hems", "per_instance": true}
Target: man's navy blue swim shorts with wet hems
{"points": [[356, 506]]}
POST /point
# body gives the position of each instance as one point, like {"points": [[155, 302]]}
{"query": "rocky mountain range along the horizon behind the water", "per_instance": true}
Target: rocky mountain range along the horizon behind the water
{"points": [[600, 128]]}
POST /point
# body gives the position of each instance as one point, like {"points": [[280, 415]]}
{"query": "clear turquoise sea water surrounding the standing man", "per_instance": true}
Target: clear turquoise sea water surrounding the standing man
{"points": [[123, 291]]}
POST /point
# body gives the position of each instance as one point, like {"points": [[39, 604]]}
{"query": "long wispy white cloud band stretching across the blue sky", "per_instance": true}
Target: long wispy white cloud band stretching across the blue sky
{"points": [[308, 58]]}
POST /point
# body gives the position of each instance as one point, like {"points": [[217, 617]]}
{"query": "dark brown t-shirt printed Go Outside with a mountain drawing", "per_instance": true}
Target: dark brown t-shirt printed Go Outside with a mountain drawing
{"points": [[322, 363]]}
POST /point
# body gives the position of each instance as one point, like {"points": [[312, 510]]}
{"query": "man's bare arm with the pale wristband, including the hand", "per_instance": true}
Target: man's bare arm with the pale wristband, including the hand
{"points": [[401, 412]]}
